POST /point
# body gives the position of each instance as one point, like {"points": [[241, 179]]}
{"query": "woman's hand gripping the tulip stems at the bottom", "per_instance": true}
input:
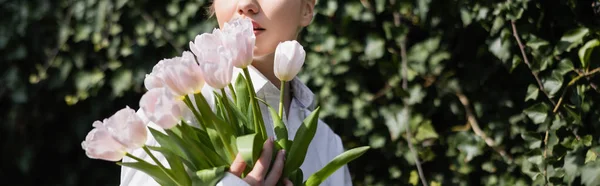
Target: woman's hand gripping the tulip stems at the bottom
{"points": [[258, 176]]}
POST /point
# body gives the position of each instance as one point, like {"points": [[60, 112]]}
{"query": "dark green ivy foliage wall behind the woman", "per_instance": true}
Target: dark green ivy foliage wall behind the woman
{"points": [[479, 112]]}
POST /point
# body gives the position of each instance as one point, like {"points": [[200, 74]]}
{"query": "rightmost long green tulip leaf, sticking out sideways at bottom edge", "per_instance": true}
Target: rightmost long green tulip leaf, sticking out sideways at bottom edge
{"points": [[337, 162]]}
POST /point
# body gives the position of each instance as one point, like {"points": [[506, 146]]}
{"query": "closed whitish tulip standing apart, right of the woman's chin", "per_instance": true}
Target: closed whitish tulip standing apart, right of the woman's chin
{"points": [[289, 58]]}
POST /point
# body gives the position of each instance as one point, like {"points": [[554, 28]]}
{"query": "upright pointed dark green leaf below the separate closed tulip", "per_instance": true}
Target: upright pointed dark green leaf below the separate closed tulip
{"points": [[304, 135]]}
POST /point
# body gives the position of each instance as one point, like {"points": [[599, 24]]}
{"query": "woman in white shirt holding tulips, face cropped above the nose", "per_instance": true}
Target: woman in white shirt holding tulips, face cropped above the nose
{"points": [[274, 21]]}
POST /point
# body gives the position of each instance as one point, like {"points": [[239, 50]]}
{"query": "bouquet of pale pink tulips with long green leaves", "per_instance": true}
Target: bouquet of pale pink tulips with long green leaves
{"points": [[200, 140]]}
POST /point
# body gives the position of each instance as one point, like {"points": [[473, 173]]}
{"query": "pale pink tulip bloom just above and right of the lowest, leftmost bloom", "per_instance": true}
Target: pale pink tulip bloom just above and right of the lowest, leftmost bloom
{"points": [[161, 107]]}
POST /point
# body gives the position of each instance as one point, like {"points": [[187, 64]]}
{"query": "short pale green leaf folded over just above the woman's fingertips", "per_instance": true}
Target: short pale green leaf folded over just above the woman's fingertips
{"points": [[249, 146]]}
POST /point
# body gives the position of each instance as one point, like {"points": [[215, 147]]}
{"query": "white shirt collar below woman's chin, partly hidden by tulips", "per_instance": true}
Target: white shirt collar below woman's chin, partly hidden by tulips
{"points": [[262, 85]]}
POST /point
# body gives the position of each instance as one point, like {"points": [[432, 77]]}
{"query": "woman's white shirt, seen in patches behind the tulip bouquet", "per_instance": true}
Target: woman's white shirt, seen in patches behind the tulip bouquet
{"points": [[325, 145]]}
